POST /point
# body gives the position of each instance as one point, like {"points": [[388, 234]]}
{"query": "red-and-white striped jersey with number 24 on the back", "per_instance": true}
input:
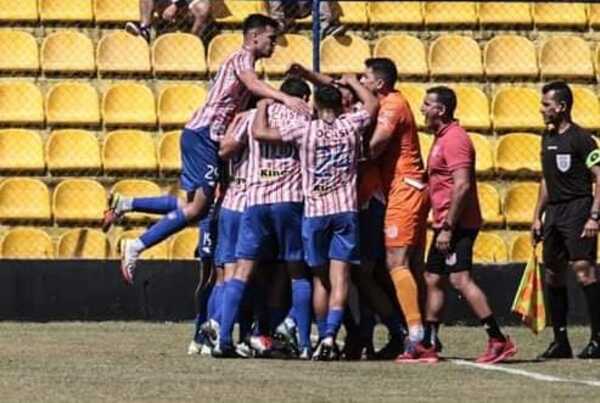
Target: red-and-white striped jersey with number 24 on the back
{"points": [[329, 158]]}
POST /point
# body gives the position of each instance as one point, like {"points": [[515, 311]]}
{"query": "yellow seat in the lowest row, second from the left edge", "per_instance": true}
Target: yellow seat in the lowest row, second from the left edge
{"points": [[83, 243]]}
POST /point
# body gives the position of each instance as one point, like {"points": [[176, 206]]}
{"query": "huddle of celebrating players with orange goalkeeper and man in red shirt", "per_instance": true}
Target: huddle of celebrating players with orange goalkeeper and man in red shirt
{"points": [[333, 205]]}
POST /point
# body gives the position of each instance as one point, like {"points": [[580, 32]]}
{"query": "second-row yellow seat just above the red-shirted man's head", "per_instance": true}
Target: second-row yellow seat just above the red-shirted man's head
{"points": [[455, 55]]}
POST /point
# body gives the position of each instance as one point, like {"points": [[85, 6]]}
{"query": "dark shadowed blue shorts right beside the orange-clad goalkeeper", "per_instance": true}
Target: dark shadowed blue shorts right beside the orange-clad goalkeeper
{"points": [[372, 238]]}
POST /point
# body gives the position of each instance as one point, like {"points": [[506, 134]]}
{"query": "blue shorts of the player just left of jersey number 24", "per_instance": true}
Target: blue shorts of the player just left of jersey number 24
{"points": [[271, 231]]}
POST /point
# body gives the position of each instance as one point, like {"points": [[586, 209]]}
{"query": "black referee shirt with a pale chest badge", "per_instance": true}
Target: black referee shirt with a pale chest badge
{"points": [[564, 164]]}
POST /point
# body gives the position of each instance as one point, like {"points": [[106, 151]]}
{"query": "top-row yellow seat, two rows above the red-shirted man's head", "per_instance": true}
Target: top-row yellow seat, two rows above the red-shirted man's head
{"points": [[441, 13]]}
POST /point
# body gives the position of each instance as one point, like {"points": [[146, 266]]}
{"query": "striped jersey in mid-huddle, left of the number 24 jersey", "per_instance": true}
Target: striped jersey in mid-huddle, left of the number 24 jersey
{"points": [[274, 174]]}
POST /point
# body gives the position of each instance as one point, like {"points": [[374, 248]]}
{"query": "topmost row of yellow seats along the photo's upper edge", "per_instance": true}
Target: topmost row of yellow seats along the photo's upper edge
{"points": [[376, 13]]}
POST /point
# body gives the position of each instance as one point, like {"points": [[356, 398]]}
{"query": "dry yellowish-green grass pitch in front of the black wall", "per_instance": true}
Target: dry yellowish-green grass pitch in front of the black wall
{"points": [[126, 361]]}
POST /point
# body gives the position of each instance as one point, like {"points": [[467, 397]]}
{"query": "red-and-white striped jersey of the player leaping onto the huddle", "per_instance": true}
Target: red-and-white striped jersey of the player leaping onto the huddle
{"points": [[227, 96]]}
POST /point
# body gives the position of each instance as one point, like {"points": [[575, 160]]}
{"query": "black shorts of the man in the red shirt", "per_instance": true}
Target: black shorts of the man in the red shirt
{"points": [[460, 256]]}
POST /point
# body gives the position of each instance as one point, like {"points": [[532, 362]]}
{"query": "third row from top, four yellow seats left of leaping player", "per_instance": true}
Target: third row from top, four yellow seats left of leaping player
{"points": [[78, 103]]}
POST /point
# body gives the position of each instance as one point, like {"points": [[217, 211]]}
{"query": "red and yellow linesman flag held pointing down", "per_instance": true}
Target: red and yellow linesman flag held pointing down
{"points": [[529, 301]]}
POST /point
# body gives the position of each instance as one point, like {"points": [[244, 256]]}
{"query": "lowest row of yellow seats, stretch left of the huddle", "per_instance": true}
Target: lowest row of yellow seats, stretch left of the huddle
{"points": [[88, 243]]}
